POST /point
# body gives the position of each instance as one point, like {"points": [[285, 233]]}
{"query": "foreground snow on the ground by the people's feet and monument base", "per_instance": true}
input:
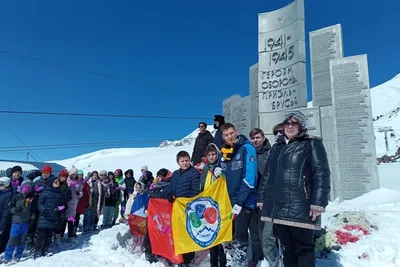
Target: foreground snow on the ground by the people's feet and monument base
{"points": [[382, 207]]}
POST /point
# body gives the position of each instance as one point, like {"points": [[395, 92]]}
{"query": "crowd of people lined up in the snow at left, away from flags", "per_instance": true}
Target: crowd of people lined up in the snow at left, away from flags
{"points": [[38, 209]]}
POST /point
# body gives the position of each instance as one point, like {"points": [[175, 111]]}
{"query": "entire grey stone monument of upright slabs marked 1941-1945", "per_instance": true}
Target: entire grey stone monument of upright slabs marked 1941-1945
{"points": [[341, 111]]}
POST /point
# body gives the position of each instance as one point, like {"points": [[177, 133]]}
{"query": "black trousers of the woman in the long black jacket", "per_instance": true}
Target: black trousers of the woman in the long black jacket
{"points": [[298, 245]]}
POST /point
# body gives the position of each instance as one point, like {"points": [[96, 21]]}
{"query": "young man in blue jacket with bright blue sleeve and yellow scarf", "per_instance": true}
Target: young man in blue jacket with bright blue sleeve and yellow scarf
{"points": [[239, 163]]}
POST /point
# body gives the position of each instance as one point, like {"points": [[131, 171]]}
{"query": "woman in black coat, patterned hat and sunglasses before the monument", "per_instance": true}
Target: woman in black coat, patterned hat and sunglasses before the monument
{"points": [[295, 189]]}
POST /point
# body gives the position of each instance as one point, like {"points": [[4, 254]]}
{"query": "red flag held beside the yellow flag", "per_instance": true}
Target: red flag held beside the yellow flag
{"points": [[160, 229]]}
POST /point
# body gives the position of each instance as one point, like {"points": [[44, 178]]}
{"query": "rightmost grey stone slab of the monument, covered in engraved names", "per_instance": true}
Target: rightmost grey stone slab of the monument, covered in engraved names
{"points": [[353, 126]]}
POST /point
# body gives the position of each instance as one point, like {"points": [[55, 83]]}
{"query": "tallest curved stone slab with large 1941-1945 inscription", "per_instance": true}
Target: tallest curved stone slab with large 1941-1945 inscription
{"points": [[282, 69]]}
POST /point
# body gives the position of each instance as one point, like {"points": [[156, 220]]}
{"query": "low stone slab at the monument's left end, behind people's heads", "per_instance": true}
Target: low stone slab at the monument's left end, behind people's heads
{"points": [[236, 110]]}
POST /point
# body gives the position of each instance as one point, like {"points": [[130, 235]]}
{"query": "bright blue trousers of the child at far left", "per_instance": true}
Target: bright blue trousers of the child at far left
{"points": [[18, 234]]}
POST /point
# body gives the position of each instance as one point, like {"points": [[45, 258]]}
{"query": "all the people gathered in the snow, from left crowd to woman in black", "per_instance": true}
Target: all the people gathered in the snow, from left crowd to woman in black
{"points": [[277, 194]]}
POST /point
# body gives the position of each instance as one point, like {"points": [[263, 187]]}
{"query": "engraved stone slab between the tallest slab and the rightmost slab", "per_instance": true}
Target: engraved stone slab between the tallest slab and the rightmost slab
{"points": [[325, 44]]}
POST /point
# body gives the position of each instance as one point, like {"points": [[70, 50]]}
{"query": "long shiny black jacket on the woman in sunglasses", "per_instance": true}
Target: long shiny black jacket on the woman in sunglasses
{"points": [[298, 179]]}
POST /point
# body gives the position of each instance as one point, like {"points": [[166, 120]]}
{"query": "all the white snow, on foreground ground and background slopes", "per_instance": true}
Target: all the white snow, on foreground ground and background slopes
{"points": [[381, 207]]}
